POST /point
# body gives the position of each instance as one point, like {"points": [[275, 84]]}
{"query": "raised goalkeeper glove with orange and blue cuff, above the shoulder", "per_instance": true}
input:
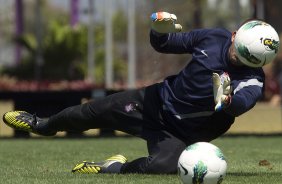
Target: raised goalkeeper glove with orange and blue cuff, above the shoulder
{"points": [[163, 22]]}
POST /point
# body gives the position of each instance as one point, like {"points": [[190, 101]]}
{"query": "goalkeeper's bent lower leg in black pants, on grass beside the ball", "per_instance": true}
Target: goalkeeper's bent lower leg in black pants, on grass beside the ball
{"points": [[164, 151]]}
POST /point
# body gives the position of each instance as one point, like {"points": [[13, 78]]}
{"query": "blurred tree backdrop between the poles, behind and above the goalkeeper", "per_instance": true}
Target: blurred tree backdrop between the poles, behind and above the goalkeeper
{"points": [[64, 46]]}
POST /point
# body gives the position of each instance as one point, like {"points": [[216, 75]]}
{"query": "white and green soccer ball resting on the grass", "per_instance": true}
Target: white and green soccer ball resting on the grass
{"points": [[202, 163]]}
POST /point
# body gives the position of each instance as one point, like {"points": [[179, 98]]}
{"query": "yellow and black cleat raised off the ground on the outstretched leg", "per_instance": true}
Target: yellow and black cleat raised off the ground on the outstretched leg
{"points": [[21, 120]]}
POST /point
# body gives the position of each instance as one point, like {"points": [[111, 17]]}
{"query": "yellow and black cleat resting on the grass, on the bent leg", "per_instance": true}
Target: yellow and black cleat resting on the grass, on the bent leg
{"points": [[111, 165]]}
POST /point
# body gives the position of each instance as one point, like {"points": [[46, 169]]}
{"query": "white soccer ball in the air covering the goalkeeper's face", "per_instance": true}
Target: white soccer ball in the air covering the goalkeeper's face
{"points": [[256, 43]]}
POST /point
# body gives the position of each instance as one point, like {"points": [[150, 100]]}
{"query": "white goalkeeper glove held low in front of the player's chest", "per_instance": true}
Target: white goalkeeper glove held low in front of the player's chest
{"points": [[221, 91]]}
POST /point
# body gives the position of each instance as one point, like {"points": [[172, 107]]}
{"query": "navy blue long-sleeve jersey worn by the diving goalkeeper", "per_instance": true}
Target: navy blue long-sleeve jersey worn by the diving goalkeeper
{"points": [[190, 93]]}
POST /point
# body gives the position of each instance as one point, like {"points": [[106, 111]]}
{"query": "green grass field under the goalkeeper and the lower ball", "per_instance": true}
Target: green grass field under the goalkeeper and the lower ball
{"points": [[51, 160]]}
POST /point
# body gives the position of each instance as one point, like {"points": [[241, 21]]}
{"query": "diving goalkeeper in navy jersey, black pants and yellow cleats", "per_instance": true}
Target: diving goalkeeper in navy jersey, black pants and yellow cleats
{"points": [[200, 103]]}
